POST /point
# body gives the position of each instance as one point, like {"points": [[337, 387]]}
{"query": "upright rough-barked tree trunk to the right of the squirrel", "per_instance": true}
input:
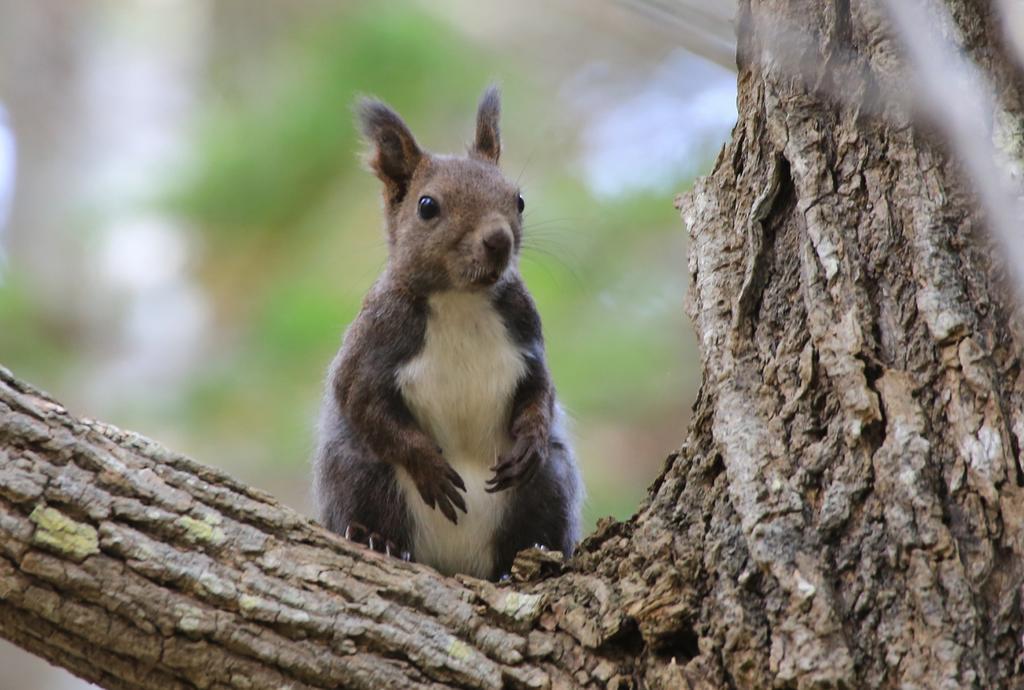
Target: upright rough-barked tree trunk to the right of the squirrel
{"points": [[861, 416]]}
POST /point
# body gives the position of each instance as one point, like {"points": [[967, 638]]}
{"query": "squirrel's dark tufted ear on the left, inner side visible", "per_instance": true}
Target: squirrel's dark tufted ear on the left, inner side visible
{"points": [[395, 154]]}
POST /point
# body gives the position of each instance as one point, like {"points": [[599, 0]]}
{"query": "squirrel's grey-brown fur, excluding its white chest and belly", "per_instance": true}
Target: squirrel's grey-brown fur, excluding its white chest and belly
{"points": [[367, 428]]}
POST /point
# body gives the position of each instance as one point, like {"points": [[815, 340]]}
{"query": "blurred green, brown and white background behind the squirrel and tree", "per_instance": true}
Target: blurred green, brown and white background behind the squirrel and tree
{"points": [[186, 230]]}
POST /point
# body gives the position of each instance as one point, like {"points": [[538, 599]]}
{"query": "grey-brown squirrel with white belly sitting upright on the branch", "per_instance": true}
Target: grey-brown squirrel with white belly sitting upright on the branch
{"points": [[440, 401]]}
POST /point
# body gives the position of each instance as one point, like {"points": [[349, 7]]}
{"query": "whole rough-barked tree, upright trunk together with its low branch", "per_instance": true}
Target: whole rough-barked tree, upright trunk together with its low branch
{"points": [[847, 510]]}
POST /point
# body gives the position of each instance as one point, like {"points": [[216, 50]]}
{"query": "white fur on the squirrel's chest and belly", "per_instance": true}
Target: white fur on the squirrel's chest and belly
{"points": [[460, 390]]}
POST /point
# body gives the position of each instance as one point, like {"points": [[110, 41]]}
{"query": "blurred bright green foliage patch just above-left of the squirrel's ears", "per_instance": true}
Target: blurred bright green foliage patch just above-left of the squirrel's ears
{"points": [[271, 164]]}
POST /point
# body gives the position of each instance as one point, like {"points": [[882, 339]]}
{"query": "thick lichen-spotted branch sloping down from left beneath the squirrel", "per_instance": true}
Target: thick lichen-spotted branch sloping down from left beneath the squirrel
{"points": [[134, 567]]}
